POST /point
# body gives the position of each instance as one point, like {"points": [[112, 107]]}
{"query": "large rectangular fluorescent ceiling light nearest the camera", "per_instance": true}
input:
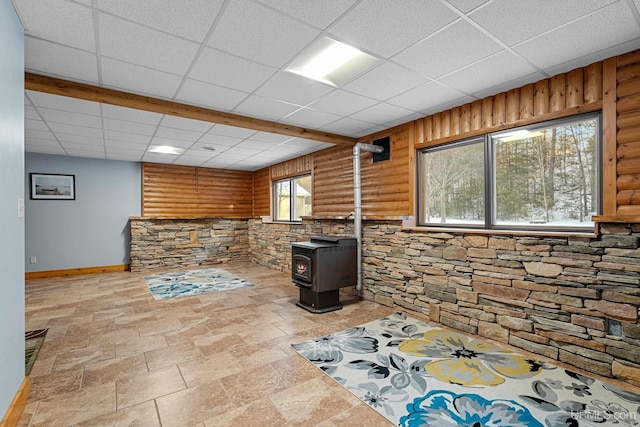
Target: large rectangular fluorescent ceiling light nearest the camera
{"points": [[331, 62]]}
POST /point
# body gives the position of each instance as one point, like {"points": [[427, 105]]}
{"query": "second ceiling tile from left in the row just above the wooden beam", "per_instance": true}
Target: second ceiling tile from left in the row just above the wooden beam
{"points": [[140, 80]]}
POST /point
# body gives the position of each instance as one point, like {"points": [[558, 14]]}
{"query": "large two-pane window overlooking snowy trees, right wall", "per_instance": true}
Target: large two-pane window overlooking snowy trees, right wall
{"points": [[537, 177]]}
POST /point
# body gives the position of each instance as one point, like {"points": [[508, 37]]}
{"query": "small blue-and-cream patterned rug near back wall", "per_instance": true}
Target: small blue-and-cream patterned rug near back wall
{"points": [[193, 282]]}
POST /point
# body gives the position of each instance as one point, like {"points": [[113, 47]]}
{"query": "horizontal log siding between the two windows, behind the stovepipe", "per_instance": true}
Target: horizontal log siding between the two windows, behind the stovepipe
{"points": [[385, 185]]}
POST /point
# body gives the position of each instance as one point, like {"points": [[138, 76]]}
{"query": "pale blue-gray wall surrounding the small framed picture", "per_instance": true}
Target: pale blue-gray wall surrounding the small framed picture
{"points": [[93, 229]]}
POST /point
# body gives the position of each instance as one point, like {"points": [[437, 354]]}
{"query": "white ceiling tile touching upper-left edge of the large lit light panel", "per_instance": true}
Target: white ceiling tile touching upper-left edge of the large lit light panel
{"points": [[254, 31]]}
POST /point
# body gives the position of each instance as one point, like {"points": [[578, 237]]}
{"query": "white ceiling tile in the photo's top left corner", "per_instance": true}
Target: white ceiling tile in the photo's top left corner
{"points": [[59, 21]]}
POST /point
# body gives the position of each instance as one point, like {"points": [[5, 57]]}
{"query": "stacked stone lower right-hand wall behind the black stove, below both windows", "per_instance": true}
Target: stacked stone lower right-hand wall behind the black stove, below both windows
{"points": [[548, 295]]}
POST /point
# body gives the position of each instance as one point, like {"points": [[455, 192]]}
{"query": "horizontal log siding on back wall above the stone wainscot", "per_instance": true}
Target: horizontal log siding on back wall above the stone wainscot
{"points": [[185, 191]]}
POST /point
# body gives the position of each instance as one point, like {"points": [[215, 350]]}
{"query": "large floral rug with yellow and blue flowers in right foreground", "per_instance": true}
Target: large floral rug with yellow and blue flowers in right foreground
{"points": [[418, 375]]}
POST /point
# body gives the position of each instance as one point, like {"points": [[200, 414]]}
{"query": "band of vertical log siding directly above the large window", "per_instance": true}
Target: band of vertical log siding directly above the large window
{"points": [[562, 95]]}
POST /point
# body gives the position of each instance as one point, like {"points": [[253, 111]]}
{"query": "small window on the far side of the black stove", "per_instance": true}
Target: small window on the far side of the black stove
{"points": [[292, 198]]}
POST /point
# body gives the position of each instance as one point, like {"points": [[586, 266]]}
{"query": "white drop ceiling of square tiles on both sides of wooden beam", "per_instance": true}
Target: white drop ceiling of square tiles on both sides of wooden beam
{"points": [[231, 55]]}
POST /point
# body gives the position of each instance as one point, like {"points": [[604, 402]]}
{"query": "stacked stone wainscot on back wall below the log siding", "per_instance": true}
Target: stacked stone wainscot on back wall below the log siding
{"points": [[177, 243]]}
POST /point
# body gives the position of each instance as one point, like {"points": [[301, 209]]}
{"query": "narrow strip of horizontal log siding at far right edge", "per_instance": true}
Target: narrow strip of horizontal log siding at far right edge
{"points": [[628, 133]]}
